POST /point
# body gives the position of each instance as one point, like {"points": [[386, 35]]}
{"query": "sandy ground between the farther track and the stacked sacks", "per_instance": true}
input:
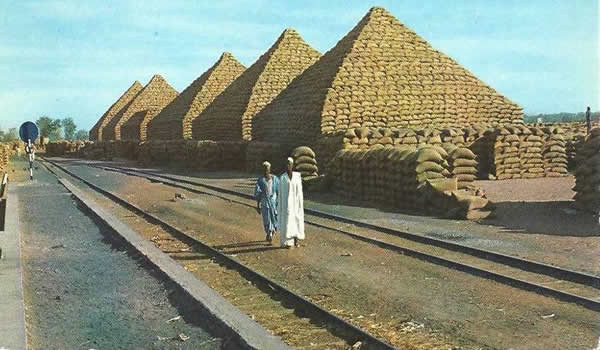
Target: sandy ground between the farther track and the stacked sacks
{"points": [[534, 219]]}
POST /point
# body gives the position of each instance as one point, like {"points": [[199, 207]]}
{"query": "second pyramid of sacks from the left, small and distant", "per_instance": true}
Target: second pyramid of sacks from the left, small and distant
{"points": [[130, 123]]}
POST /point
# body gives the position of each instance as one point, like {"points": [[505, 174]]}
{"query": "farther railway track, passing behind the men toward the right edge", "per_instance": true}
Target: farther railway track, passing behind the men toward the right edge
{"points": [[563, 284]]}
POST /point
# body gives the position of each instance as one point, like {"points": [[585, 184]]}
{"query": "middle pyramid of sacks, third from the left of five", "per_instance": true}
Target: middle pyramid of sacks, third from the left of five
{"points": [[174, 122]]}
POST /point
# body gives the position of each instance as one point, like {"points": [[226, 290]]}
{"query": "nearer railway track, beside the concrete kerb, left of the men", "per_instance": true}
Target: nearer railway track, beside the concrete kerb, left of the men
{"points": [[298, 321]]}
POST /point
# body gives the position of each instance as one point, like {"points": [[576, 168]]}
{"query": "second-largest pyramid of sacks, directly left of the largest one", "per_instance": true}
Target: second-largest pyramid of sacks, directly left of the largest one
{"points": [[229, 116]]}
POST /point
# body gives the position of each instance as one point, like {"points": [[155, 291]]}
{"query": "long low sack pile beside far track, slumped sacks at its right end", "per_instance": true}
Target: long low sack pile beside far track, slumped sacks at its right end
{"points": [[413, 179]]}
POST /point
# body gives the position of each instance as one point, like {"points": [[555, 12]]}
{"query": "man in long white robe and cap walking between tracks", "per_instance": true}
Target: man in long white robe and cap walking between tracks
{"points": [[290, 206]]}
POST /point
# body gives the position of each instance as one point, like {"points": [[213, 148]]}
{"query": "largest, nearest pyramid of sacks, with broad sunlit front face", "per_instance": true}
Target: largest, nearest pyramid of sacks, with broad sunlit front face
{"points": [[381, 74]]}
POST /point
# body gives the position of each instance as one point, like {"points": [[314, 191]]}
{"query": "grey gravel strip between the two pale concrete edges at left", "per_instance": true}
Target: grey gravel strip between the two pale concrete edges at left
{"points": [[83, 290]]}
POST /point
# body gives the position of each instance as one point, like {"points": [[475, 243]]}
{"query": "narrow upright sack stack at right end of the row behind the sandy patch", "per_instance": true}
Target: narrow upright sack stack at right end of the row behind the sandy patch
{"points": [[555, 153]]}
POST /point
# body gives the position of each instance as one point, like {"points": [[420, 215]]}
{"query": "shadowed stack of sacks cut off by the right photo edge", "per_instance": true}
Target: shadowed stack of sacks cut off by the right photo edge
{"points": [[587, 174]]}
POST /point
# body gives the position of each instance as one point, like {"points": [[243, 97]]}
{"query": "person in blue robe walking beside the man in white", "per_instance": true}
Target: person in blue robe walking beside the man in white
{"points": [[265, 194]]}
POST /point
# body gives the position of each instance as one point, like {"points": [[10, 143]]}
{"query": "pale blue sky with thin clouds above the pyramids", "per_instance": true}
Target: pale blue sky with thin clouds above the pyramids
{"points": [[75, 58]]}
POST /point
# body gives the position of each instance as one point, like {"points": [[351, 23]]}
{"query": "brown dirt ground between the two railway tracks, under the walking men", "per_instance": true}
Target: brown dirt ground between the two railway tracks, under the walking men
{"points": [[382, 291]]}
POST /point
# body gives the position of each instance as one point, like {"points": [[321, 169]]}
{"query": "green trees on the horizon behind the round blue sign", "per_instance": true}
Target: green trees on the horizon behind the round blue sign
{"points": [[53, 129]]}
